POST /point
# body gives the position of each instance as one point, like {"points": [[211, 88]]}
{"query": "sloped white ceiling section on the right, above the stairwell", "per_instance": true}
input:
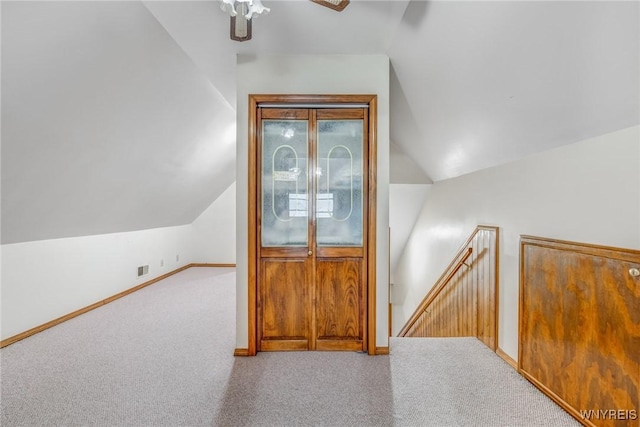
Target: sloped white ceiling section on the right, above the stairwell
{"points": [[484, 83]]}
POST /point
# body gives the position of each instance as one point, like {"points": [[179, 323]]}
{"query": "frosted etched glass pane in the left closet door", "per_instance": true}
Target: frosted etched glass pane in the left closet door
{"points": [[285, 195]]}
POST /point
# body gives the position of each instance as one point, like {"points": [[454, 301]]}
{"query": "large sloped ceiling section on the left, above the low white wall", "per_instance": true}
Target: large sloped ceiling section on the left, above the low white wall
{"points": [[108, 126]]}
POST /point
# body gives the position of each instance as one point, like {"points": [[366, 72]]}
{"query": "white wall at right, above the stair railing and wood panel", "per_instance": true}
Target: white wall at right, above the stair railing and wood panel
{"points": [[586, 192]]}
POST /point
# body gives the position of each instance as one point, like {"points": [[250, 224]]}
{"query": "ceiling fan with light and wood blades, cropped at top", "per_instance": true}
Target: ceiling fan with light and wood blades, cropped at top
{"points": [[242, 11]]}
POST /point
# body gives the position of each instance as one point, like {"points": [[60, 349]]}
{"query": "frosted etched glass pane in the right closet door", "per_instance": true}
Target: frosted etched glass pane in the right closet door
{"points": [[339, 177]]}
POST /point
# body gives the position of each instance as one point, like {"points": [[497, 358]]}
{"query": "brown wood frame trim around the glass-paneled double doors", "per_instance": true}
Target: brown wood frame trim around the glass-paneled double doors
{"points": [[253, 205]]}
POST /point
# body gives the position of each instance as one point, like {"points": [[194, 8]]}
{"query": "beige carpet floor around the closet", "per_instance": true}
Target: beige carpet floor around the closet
{"points": [[163, 356]]}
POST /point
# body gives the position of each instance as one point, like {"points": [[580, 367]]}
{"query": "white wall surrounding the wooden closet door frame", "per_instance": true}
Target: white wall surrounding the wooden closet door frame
{"points": [[307, 74]]}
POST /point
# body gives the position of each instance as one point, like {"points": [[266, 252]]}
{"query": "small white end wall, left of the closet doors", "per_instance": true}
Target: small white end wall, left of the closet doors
{"points": [[214, 231]]}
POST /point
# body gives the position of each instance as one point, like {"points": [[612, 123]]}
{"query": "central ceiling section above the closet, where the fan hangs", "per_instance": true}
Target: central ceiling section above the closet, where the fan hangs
{"points": [[292, 27]]}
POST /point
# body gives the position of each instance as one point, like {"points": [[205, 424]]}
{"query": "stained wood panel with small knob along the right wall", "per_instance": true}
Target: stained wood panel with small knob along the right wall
{"points": [[580, 328]]}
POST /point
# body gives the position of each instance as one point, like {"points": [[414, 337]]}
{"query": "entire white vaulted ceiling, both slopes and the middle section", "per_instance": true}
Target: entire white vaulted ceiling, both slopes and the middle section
{"points": [[119, 116]]}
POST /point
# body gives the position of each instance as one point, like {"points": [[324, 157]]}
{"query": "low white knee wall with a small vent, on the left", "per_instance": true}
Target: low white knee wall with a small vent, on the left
{"points": [[43, 280]]}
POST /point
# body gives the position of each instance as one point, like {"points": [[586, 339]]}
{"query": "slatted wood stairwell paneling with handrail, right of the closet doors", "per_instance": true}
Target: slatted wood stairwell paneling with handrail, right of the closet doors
{"points": [[463, 301]]}
